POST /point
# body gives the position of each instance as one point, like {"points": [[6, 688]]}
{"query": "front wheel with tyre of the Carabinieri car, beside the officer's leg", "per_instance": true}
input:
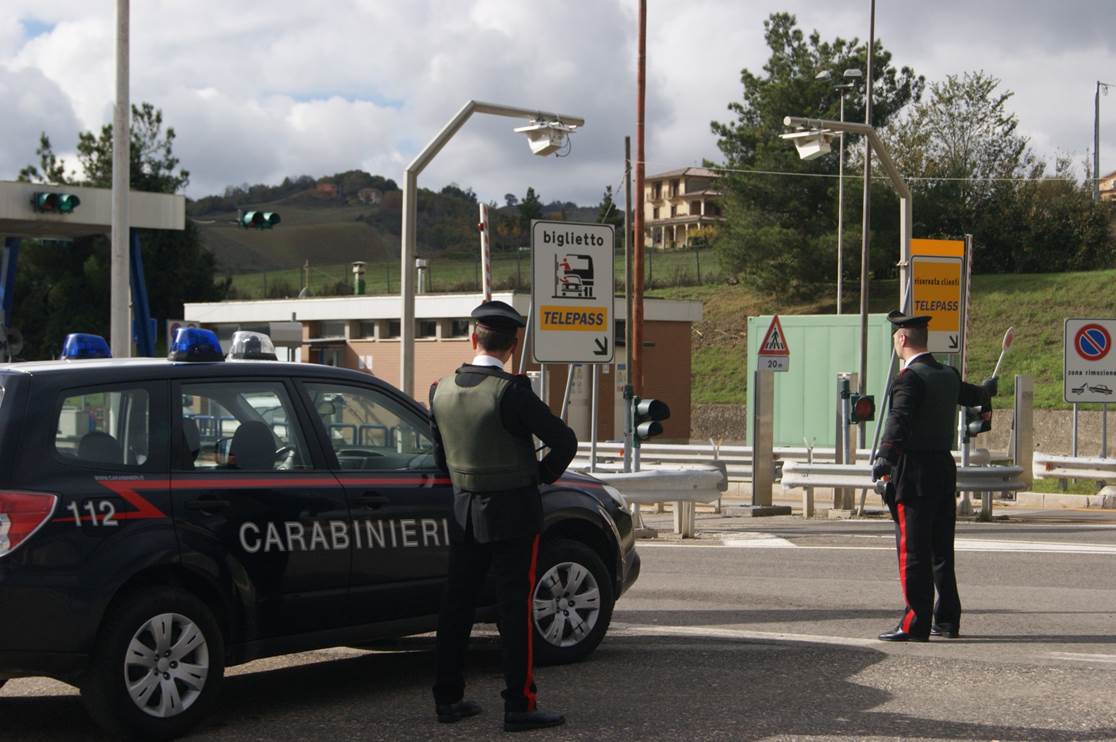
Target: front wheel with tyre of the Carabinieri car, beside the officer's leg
{"points": [[573, 603]]}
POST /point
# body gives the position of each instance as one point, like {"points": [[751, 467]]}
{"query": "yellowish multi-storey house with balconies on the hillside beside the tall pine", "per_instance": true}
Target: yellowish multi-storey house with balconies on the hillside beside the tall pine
{"points": [[680, 205]]}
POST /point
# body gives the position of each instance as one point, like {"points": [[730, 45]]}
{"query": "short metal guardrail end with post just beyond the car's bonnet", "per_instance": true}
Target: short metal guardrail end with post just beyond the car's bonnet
{"points": [[682, 487]]}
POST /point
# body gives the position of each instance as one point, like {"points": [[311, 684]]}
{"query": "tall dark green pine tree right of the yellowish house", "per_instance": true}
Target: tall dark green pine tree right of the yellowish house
{"points": [[781, 230]]}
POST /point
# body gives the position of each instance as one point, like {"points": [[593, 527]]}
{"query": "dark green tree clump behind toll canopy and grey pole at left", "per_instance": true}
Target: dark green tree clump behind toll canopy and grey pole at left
{"points": [[63, 287]]}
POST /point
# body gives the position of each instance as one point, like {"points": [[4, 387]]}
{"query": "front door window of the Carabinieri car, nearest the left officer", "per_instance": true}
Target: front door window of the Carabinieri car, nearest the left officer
{"points": [[372, 431]]}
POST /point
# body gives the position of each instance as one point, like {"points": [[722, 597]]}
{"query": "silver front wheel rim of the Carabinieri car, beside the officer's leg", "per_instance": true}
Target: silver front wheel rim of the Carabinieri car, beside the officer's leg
{"points": [[566, 604]]}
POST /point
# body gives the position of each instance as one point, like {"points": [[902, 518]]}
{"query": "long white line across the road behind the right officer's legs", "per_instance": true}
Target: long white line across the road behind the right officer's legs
{"points": [[757, 541]]}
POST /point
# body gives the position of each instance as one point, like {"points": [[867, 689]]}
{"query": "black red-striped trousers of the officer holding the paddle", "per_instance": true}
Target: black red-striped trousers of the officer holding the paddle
{"points": [[926, 523]]}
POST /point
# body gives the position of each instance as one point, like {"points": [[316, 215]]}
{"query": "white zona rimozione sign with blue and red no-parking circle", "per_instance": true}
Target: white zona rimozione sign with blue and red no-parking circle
{"points": [[1090, 367]]}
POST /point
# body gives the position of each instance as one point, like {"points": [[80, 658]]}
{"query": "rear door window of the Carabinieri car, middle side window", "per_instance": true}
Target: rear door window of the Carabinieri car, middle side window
{"points": [[239, 426]]}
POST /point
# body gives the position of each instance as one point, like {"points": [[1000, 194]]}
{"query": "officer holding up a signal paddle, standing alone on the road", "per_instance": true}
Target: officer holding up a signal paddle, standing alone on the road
{"points": [[916, 459]]}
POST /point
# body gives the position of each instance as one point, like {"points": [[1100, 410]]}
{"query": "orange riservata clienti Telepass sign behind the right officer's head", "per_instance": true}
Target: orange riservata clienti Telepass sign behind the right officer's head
{"points": [[937, 294]]}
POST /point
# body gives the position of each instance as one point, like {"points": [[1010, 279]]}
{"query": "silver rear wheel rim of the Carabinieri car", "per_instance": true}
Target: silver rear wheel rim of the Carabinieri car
{"points": [[167, 666]]}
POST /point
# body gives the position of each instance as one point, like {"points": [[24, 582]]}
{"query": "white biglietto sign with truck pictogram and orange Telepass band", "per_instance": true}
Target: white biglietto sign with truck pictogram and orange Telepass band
{"points": [[572, 293]]}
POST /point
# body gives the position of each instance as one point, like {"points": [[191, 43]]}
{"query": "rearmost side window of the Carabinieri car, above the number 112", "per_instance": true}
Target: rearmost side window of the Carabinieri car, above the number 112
{"points": [[104, 427]]}
